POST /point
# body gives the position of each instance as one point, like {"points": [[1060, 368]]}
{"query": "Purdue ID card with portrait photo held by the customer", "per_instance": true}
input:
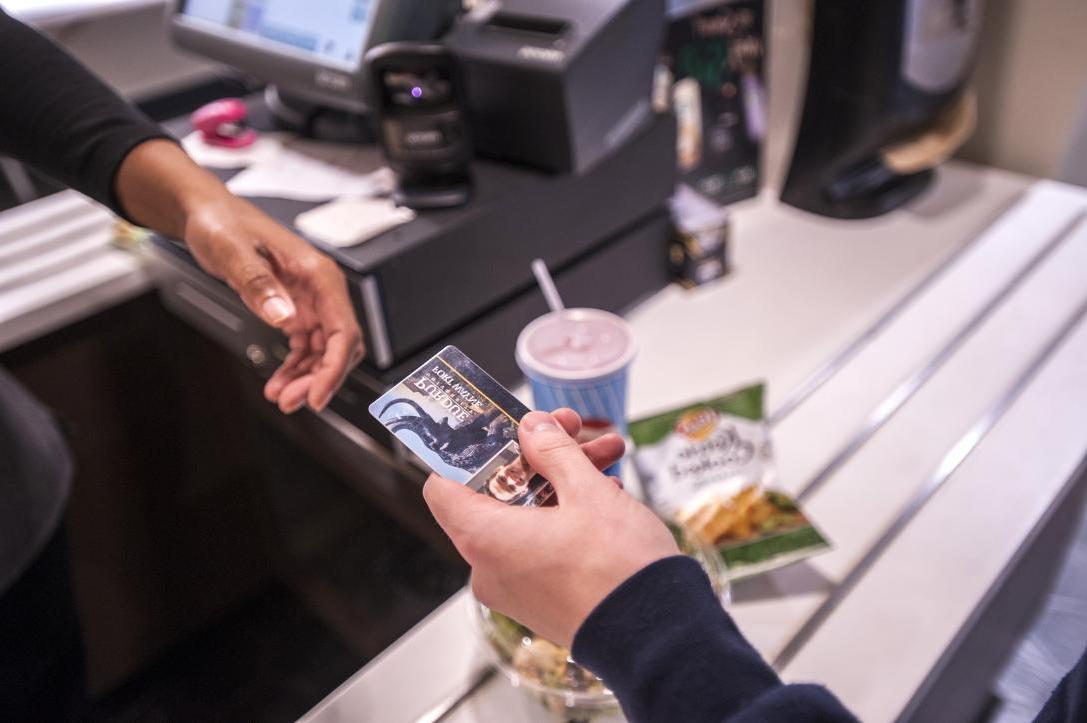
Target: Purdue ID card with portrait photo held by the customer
{"points": [[464, 425]]}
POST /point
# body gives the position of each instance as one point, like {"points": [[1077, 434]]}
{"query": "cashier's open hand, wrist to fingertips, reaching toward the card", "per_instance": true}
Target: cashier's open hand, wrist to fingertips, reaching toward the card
{"points": [[290, 285]]}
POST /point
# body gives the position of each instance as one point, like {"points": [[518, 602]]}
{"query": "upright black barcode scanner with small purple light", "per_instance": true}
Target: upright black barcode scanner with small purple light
{"points": [[418, 104]]}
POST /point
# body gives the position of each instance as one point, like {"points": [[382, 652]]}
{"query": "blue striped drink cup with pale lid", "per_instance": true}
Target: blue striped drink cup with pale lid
{"points": [[580, 358]]}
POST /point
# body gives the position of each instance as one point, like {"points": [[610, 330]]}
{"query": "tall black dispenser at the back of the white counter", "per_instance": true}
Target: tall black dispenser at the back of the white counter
{"points": [[888, 101]]}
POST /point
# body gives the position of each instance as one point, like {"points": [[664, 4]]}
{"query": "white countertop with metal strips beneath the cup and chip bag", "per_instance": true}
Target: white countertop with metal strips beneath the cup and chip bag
{"points": [[971, 344]]}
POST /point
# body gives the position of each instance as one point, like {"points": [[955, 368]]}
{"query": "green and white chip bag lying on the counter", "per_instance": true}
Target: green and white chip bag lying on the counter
{"points": [[710, 467]]}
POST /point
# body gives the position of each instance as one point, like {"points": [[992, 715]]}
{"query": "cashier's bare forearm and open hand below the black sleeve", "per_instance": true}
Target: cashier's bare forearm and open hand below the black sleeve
{"points": [[280, 278]]}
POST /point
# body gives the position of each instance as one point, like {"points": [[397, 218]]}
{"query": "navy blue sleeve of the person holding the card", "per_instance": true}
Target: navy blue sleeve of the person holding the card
{"points": [[663, 642]]}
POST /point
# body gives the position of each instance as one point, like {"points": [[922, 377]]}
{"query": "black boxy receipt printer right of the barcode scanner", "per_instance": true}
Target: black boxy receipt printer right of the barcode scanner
{"points": [[558, 84]]}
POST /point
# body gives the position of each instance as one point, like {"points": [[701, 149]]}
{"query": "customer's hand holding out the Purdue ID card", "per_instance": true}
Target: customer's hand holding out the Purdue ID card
{"points": [[548, 568]]}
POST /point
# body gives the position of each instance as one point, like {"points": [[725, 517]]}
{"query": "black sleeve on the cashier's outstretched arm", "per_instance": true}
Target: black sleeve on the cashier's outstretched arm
{"points": [[59, 118]]}
